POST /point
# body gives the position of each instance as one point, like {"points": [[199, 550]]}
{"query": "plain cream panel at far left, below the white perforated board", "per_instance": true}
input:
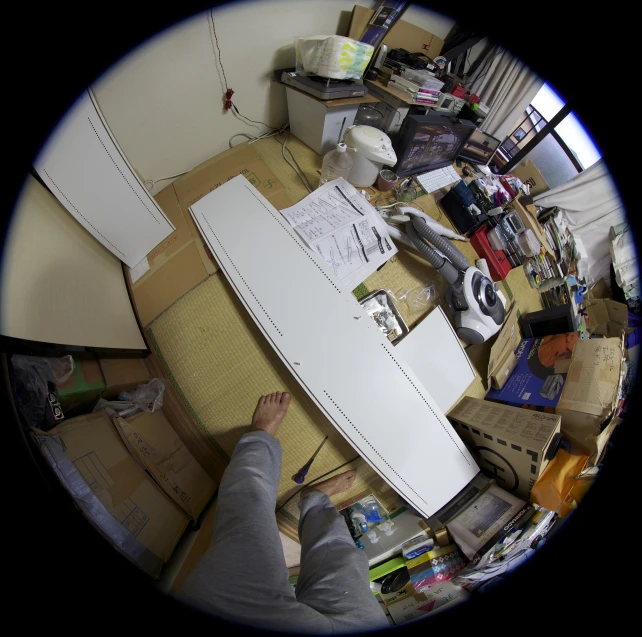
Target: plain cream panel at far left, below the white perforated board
{"points": [[60, 285]]}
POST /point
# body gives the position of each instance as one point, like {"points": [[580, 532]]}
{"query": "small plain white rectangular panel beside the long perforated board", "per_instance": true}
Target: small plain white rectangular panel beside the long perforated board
{"points": [[436, 356]]}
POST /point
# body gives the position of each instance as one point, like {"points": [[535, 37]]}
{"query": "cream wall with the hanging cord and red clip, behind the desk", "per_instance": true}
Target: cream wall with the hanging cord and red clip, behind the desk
{"points": [[164, 101]]}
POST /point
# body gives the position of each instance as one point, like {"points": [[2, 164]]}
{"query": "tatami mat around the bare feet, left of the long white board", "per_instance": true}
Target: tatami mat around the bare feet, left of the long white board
{"points": [[221, 363]]}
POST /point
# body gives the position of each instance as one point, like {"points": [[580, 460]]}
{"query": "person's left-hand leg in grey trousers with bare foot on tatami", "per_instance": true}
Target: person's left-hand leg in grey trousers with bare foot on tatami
{"points": [[243, 577]]}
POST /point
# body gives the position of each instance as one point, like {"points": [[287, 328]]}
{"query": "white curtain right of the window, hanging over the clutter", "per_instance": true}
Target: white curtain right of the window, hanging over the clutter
{"points": [[590, 204]]}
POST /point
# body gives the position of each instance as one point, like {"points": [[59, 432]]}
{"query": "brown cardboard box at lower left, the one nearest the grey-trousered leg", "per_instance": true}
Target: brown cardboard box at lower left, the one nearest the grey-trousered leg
{"points": [[152, 441]]}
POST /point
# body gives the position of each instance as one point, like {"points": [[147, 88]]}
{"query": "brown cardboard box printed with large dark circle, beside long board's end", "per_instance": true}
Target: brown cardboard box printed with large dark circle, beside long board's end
{"points": [[511, 445]]}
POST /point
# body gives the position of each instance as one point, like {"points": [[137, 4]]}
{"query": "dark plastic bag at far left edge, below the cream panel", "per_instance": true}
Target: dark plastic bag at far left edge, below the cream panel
{"points": [[31, 375]]}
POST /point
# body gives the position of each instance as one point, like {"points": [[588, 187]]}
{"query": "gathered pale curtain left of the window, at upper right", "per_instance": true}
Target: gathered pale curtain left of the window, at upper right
{"points": [[507, 86]]}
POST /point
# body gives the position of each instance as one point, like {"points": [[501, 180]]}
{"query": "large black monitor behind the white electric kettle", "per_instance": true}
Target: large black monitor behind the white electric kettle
{"points": [[431, 141]]}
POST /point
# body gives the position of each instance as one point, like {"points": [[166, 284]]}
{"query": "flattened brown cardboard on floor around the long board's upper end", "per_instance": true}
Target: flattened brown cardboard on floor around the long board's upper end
{"points": [[183, 260]]}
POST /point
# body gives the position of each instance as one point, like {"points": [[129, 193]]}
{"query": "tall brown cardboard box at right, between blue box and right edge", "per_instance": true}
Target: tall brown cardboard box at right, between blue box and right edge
{"points": [[591, 391]]}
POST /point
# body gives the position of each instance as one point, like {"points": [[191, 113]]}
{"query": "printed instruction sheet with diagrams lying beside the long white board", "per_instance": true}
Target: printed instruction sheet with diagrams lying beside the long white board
{"points": [[342, 227]]}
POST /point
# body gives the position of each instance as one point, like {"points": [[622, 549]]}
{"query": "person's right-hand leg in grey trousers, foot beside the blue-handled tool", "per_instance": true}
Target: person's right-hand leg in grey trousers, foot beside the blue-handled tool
{"points": [[334, 572]]}
